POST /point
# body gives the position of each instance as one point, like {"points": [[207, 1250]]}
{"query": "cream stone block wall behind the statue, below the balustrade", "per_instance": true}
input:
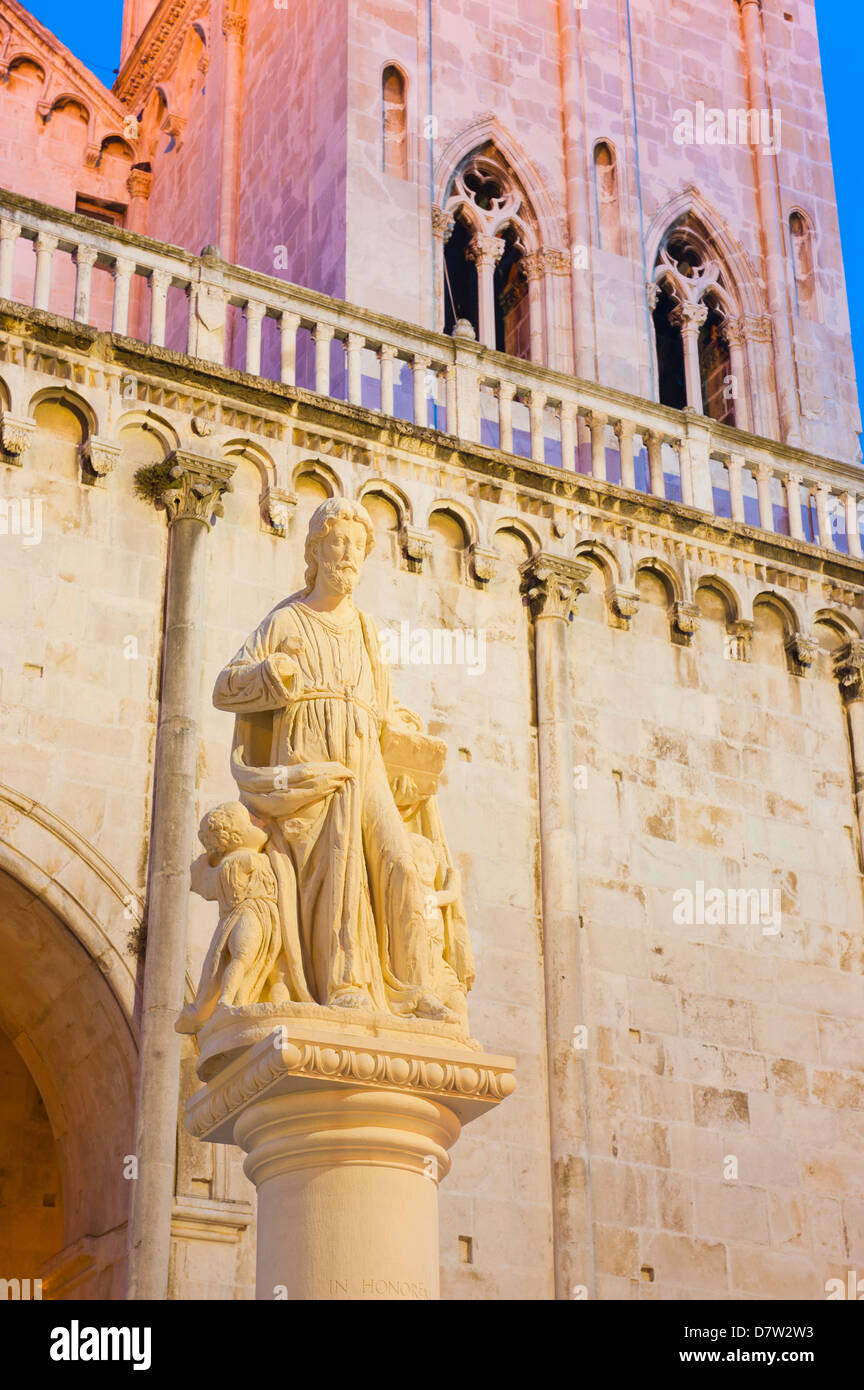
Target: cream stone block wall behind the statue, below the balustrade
{"points": [[711, 747]]}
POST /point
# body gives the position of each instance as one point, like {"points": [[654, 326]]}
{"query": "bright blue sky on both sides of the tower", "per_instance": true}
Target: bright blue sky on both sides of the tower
{"points": [[92, 33]]}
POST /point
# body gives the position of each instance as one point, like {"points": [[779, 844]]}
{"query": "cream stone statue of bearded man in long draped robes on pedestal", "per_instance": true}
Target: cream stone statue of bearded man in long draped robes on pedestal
{"points": [[313, 701]]}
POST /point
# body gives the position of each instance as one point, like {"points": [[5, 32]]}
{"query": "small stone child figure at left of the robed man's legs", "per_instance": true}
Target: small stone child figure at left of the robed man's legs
{"points": [[240, 878]]}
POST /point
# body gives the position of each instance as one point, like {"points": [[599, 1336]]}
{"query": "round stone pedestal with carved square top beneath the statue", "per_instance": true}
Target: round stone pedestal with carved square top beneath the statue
{"points": [[348, 1129]]}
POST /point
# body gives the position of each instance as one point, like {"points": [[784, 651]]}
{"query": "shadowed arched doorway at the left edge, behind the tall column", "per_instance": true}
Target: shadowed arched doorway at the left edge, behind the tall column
{"points": [[69, 1054]]}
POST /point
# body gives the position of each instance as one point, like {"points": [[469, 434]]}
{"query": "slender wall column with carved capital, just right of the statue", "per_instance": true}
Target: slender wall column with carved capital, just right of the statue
{"points": [[552, 586]]}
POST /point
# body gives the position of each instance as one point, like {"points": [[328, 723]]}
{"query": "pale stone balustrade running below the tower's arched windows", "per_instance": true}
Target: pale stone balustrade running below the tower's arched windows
{"points": [[162, 295]]}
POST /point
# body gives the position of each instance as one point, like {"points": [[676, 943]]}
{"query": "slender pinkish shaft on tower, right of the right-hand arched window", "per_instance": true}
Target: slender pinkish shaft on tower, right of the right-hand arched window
{"points": [[769, 213]]}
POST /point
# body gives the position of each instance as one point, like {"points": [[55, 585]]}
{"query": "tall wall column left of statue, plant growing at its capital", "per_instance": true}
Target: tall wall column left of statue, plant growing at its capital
{"points": [[191, 490]]}
